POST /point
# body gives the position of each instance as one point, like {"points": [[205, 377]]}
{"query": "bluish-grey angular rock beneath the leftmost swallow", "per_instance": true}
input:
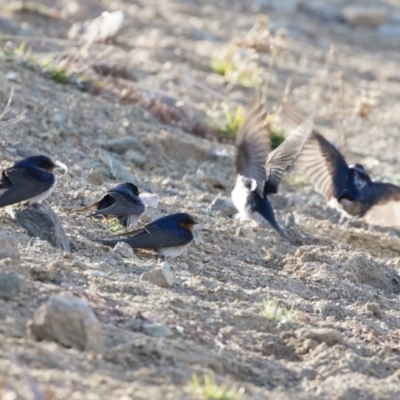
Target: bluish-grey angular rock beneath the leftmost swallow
{"points": [[41, 221]]}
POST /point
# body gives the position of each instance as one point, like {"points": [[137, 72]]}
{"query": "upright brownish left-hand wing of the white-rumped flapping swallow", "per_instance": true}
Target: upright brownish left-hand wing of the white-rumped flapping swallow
{"points": [[253, 145]]}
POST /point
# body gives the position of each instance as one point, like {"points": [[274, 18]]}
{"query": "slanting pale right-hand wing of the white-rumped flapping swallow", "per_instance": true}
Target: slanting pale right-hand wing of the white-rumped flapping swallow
{"points": [[285, 154]]}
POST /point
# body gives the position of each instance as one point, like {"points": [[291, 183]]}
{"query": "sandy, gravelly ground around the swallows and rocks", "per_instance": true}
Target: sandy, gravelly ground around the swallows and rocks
{"points": [[342, 341]]}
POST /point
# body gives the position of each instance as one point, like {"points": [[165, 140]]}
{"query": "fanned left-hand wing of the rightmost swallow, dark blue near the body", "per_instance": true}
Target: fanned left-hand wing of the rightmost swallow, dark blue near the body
{"points": [[323, 164]]}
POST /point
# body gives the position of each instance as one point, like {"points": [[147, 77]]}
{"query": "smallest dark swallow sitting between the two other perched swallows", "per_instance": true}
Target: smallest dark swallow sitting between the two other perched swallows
{"points": [[122, 202]]}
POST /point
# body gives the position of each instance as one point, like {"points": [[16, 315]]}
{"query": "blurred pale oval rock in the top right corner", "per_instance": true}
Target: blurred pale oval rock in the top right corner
{"points": [[365, 16]]}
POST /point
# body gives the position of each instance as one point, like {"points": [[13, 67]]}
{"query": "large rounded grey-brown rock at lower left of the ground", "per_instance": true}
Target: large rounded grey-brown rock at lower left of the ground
{"points": [[68, 320]]}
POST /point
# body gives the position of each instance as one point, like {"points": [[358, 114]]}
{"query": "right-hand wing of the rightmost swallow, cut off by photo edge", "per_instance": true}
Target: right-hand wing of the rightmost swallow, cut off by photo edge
{"points": [[385, 211]]}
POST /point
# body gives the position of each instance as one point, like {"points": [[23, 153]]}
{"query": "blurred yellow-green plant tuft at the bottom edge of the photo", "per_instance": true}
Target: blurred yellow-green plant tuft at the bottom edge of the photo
{"points": [[207, 389]]}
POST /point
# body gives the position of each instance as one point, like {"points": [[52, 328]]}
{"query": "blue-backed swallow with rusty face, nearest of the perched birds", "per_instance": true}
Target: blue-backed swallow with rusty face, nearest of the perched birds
{"points": [[169, 235]]}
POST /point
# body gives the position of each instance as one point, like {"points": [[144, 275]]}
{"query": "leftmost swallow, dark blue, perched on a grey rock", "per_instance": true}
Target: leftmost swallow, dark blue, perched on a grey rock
{"points": [[30, 179]]}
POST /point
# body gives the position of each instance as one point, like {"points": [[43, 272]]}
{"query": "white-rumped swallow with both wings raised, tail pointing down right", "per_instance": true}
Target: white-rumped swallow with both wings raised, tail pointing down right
{"points": [[259, 170]]}
